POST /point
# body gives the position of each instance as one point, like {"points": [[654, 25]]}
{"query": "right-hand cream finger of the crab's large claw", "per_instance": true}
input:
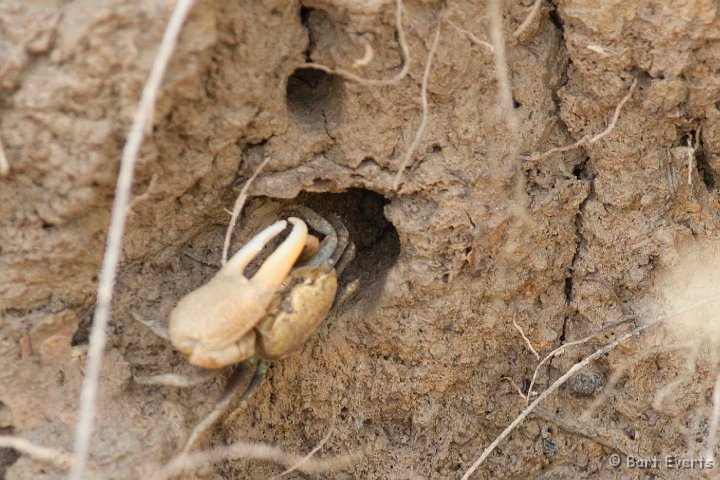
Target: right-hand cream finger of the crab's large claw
{"points": [[277, 266]]}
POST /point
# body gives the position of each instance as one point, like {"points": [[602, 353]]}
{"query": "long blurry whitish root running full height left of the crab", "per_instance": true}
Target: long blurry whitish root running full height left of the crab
{"points": [[111, 258]]}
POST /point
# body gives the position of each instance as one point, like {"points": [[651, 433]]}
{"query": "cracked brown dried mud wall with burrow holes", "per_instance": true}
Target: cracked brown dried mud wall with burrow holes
{"points": [[420, 369]]}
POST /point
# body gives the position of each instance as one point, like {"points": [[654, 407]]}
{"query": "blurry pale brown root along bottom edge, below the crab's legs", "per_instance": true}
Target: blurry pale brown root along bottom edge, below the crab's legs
{"points": [[258, 451]]}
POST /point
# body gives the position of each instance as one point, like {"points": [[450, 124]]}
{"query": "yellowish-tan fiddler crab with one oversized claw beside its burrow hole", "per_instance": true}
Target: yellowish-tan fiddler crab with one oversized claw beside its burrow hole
{"points": [[234, 319]]}
